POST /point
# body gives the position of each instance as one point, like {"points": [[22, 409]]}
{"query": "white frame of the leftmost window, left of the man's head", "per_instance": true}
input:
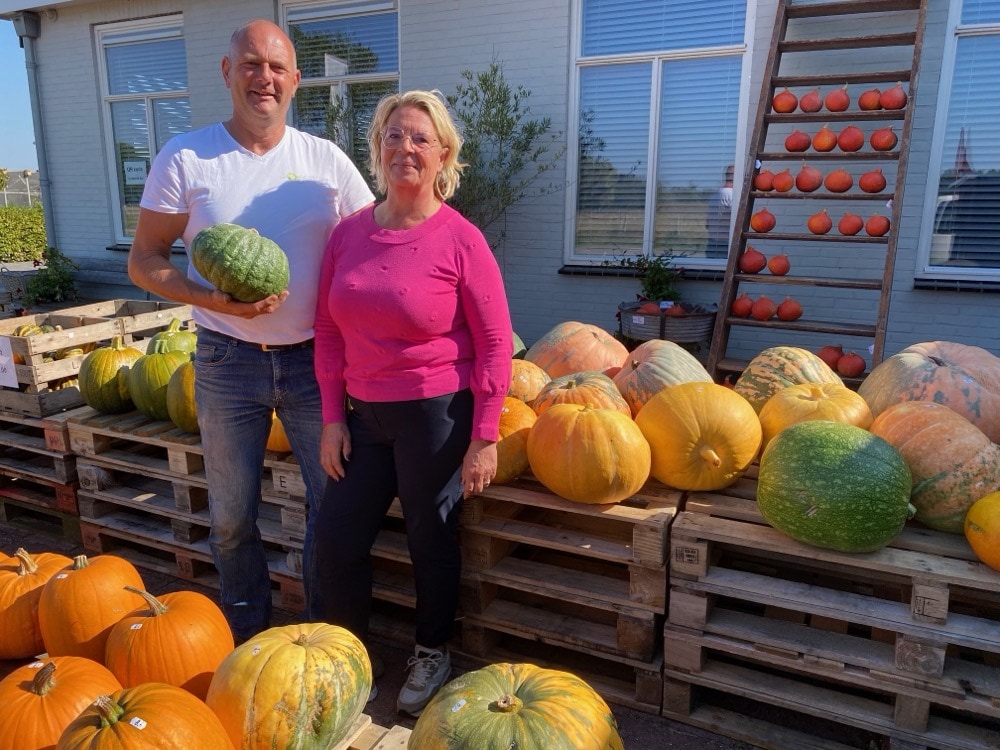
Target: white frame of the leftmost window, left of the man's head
{"points": [[129, 32]]}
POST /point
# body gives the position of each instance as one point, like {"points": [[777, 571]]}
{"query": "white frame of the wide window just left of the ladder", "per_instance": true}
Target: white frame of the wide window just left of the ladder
{"points": [[656, 60]]}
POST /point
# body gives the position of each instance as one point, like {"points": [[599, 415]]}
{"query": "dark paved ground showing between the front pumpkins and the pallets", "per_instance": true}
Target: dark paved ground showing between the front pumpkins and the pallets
{"points": [[638, 730]]}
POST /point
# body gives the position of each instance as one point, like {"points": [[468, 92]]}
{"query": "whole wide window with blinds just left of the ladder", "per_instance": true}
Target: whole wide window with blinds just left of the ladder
{"points": [[658, 101]]}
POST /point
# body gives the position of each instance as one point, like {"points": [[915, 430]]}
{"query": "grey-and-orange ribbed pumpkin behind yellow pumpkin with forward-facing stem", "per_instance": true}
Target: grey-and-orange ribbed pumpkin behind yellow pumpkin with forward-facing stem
{"points": [[654, 365]]}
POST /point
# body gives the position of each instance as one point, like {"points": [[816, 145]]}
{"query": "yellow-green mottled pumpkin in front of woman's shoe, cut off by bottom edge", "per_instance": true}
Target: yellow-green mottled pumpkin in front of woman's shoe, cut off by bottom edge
{"points": [[523, 706]]}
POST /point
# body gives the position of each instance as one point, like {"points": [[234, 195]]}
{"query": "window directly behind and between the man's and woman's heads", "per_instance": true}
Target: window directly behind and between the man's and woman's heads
{"points": [[348, 53]]}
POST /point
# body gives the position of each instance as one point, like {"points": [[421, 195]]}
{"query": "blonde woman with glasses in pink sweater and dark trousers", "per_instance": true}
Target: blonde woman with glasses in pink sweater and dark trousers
{"points": [[412, 328]]}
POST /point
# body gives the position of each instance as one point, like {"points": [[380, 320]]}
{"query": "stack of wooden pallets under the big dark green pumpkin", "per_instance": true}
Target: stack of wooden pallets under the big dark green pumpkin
{"points": [[903, 643]]}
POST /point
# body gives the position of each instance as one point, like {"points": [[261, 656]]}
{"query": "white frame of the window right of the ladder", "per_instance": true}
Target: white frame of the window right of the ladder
{"points": [[924, 270]]}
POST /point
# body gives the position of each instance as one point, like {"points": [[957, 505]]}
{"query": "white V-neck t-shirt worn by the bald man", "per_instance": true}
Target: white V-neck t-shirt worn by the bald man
{"points": [[295, 195]]}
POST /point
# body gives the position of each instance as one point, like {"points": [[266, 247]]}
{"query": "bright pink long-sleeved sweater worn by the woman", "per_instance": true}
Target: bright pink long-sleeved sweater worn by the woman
{"points": [[411, 314]]}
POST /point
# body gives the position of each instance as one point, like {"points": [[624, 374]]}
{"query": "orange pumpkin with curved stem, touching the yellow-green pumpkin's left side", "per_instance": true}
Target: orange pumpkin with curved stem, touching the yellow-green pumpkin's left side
{"points": [[179, 638]]}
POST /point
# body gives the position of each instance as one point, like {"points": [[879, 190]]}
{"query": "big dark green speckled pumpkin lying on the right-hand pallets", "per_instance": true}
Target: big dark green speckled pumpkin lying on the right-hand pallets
{"points": [[835, 486]]}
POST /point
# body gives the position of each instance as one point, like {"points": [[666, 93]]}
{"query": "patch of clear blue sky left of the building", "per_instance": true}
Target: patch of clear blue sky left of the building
{"points": [[17, 144]]}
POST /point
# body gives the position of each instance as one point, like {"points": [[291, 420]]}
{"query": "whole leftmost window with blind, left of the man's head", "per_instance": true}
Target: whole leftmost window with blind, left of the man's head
{"points": [[144, 88]]}
